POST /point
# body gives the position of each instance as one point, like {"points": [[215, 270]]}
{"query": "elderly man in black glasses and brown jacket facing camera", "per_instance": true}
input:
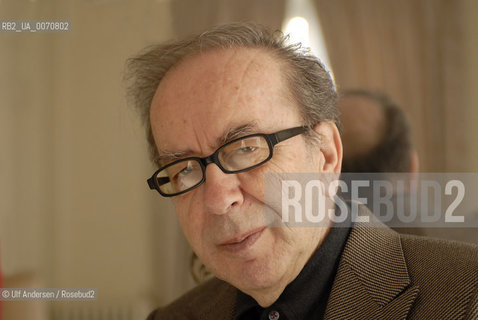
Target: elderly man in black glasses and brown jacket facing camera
{"points": [[227, 107]]}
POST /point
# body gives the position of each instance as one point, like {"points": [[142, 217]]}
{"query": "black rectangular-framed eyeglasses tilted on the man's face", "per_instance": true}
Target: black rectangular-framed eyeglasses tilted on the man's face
{"points": [[236, 156]]}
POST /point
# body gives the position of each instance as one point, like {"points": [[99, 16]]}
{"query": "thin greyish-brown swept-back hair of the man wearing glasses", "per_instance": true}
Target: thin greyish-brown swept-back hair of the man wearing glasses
{"points": [[308, 81]]}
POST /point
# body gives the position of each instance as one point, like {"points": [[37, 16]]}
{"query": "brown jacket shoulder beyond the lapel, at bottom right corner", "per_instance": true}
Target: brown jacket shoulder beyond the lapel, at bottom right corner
{"points": [[446, 273]]}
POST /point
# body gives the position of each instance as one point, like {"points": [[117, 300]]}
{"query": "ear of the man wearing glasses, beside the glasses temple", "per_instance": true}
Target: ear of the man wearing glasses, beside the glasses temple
{"points": [[330, 147]]}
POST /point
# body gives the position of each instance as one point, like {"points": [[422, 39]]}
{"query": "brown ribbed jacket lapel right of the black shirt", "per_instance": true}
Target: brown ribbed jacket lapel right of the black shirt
{"points": [[372, 280]]}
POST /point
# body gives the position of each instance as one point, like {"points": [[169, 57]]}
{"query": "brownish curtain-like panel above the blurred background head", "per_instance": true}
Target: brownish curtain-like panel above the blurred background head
{"points": [[415, 50]]}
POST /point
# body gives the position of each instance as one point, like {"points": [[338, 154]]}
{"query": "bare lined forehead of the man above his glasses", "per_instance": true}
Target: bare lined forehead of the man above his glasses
{"points": [[208, 93]]}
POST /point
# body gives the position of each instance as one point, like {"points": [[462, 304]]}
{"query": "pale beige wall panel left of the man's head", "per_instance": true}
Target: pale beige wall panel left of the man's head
{"points": [[75, 207]]}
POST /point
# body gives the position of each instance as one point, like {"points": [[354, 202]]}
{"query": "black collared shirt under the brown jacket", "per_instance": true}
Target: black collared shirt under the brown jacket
{"points": [[306, 296]]}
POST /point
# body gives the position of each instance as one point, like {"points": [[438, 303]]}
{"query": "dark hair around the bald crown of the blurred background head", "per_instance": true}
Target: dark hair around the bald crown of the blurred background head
{"points": [[393, 152]]}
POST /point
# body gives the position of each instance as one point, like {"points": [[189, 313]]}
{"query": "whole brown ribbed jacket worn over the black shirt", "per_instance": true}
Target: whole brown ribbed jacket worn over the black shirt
{"points": [[381, 275]]}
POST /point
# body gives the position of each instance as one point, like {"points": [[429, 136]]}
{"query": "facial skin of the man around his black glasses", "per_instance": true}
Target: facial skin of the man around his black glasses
{"points": [[200, 101]]}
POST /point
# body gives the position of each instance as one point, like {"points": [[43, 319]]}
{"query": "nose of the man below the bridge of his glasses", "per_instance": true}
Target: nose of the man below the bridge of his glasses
{"points": [[222, 191]]}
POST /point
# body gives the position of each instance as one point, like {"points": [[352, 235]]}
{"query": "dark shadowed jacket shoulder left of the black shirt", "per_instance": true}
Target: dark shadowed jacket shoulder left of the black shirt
{"points": [[213, 299]]}
